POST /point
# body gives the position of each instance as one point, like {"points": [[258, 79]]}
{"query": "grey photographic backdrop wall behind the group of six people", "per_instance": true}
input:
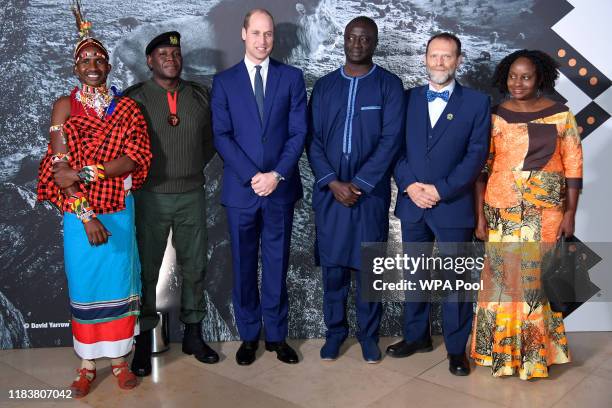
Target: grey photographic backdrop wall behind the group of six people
{"points": [[37, 38]]}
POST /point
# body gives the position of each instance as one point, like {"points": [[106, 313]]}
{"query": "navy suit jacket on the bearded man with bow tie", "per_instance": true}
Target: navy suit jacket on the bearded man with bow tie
{"points": [[450, 156]]}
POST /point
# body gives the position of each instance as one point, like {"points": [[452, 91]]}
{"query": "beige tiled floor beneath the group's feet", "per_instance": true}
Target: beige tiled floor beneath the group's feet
{"points": [[421, 380]]}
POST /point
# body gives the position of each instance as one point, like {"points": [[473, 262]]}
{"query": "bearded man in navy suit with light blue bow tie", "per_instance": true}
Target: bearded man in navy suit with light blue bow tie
{"points": [[445, 147]]}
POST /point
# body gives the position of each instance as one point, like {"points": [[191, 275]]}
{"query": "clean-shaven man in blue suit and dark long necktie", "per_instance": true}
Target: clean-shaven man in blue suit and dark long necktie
{"points": [[259, 125]]}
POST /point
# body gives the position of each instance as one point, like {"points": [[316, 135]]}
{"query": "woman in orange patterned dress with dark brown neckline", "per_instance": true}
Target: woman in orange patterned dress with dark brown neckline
{"points": [[528, 194]]}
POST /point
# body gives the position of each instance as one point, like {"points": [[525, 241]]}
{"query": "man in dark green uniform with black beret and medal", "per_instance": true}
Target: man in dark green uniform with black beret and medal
{"points": [[178, 118]]}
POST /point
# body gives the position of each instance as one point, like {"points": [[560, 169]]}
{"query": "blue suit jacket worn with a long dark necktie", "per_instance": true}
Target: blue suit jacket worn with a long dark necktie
{"points": [[249, 145]]}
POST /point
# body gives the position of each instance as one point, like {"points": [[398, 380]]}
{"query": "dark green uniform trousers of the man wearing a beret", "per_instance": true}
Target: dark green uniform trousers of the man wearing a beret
{"points": [[185, 213]]}
